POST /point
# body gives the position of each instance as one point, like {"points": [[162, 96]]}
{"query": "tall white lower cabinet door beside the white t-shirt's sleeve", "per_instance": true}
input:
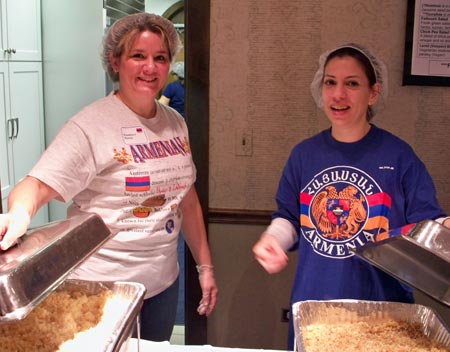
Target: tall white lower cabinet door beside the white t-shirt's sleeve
{"points": [[24, 131]]}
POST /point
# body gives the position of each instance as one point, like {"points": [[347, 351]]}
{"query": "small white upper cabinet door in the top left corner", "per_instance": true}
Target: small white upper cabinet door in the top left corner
{"points": [[21, 30]]}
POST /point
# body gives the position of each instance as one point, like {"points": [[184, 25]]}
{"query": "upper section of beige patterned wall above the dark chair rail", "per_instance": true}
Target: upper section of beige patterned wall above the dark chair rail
{"points": [[263, 57]]}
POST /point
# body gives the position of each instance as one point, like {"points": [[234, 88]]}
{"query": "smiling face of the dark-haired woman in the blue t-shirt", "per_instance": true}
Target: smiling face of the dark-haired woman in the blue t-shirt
{"points": [[346, 92]]}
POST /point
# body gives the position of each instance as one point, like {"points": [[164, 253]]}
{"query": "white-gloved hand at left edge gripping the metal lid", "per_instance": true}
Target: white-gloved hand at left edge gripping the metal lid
{"points": [[13, 225]]}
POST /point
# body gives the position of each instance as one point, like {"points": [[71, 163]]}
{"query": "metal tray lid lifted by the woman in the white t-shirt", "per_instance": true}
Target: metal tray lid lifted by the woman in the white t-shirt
{"points": [[42, 259]]}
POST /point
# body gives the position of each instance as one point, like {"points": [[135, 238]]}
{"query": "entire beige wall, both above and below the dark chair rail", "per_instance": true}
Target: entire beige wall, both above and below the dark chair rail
{"points": [[263, 56]]}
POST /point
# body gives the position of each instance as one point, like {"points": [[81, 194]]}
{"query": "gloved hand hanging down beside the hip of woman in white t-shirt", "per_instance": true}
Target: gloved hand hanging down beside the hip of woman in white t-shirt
{"points": [[209, 289]]}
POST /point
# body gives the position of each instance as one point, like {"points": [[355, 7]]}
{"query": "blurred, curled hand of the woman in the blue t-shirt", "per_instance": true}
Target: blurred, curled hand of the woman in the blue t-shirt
{"points": [[270, 254]]}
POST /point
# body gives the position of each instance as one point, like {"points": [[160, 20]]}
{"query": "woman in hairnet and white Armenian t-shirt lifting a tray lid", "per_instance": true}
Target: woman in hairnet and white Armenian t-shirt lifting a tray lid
{"points": [[126, 157]]}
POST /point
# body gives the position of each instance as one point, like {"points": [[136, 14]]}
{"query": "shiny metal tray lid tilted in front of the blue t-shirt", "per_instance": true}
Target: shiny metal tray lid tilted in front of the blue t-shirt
{"points": [[421, 258]]}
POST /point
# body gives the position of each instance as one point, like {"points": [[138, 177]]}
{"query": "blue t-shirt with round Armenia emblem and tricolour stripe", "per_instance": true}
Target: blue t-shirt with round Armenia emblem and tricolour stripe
{"points": [[340, 195]]}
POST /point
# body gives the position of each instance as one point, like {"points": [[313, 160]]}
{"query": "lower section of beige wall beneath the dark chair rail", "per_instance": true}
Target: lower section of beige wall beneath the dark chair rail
{"points": [[248, 312]]}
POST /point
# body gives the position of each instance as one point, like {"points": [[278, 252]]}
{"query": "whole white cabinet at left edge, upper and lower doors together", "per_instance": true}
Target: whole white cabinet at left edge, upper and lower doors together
{"points": [[21, 95]]}
